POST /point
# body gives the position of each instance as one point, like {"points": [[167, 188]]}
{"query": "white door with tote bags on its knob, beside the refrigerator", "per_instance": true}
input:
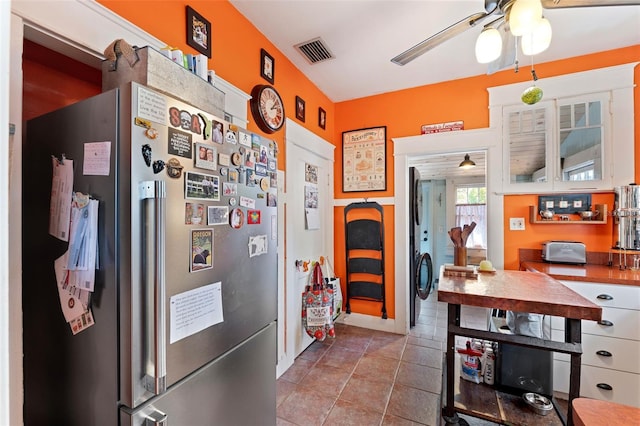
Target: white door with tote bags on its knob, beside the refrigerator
{"points": [[308, 228]]}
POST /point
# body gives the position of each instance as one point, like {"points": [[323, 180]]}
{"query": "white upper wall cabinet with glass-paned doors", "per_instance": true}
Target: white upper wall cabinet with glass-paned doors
{"points": [[572, 138]]}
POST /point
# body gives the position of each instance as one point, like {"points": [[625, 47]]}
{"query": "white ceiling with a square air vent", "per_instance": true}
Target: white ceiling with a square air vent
{"points": [[364, 35]]}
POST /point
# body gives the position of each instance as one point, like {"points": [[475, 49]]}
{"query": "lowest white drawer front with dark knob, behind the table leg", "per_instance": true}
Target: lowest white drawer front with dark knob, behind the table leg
{"points": [[595, 383]]}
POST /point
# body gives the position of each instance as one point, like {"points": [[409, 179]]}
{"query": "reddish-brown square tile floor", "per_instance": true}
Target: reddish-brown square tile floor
{"points": [[366, 377]]}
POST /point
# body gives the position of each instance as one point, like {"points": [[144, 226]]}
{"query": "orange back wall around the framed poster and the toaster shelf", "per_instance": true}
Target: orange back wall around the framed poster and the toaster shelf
{"points": [[403, 112]]}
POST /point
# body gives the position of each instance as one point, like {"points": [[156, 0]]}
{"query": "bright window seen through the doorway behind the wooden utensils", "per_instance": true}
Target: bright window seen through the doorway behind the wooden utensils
{"points": [[471, 206]]}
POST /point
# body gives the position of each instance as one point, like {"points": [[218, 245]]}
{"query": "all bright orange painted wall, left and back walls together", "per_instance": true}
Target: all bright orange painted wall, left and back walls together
{"points": [[236, 58]]}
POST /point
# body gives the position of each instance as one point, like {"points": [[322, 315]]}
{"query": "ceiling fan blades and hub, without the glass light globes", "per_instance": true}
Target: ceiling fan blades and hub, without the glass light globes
{"points": [[498, 9]]}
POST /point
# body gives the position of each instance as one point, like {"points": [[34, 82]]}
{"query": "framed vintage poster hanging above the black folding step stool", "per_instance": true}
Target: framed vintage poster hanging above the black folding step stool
{"points": [[364, 160]]}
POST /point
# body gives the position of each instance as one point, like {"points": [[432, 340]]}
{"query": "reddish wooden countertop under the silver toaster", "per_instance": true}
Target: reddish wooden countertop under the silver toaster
{"points": [[588, 273]]}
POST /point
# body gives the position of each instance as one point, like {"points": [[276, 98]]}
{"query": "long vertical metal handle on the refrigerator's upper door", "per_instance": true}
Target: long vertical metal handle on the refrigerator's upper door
{"points": [[153, 194]]}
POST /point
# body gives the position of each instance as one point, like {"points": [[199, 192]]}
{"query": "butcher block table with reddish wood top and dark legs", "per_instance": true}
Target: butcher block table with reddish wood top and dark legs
{"points": [[519, 291]]}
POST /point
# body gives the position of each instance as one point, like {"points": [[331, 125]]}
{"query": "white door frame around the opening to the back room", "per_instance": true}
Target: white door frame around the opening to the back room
{"points": [[408, 151]]}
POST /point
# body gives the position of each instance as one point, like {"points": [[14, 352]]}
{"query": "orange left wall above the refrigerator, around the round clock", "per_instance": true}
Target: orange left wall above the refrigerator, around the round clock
{"points": [[235, 55]]}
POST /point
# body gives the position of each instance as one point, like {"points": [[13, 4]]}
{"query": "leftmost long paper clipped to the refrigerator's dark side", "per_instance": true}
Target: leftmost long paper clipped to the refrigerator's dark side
{"points": [[61, 189]]}
